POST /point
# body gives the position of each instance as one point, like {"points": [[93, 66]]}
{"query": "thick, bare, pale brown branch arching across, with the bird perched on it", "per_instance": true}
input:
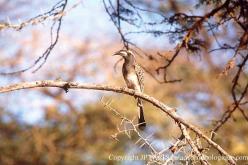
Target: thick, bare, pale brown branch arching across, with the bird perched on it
{"points": [[74, 85]]}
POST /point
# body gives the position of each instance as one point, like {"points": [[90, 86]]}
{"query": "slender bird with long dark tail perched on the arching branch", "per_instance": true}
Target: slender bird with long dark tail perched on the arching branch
{"points": [[133, 75]]}
